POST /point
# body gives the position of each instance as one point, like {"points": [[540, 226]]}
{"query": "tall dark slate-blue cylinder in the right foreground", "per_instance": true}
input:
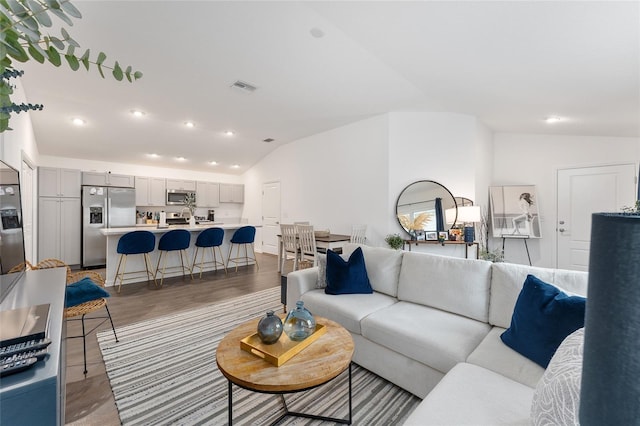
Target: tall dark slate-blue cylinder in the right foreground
{"points": [[610, 391]]}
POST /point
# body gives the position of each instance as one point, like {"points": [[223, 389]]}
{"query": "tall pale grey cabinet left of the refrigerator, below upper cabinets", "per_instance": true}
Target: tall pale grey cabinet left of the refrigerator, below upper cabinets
{"points": [[59, 229]]}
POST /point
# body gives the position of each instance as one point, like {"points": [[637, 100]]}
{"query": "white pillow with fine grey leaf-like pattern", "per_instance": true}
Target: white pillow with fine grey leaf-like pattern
{"points": [[556, 400]]}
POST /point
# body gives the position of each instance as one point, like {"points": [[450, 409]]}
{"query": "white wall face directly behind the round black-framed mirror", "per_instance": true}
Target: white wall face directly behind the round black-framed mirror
{"points": [[455, 150]]}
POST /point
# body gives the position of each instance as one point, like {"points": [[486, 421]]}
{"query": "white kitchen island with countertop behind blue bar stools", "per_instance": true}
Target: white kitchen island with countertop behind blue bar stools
{"points": [[136, 262]]}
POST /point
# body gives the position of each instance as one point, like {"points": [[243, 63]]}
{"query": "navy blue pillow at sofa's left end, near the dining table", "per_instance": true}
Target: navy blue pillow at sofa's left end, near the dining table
{"points": [[347, 277]]}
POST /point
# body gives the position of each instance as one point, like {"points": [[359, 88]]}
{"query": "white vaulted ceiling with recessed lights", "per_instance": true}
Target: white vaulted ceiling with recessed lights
{"points": [[320, 65]]}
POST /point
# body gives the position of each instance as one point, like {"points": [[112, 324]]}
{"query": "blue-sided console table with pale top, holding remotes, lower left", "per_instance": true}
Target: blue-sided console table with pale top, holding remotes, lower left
{"points": [[36, 396]]}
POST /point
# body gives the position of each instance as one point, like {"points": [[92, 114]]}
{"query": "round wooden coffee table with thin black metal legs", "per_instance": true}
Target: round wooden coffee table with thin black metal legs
{"points": [[317, 364]]}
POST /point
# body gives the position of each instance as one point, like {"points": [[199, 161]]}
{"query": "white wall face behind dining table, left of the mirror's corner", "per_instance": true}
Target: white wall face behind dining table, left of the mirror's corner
{"points": [[333, 179]]}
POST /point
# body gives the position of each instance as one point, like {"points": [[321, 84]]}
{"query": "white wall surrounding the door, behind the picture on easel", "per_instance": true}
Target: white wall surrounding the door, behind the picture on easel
{"points": [[535, 159]]}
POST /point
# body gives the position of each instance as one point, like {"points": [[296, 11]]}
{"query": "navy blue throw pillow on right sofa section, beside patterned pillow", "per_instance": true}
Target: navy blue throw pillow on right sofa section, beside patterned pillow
{"points": [[543, 316]]}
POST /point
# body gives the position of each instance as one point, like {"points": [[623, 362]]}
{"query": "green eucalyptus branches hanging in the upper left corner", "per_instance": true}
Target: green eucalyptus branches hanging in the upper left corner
{"points": [[22, 39]]}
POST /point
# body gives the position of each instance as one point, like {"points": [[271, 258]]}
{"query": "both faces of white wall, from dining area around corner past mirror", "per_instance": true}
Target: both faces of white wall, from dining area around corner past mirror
{"points": [[355, 173]]}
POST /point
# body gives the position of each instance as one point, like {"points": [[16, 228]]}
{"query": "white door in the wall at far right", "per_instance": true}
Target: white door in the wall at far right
{"points": [[582, 192]]}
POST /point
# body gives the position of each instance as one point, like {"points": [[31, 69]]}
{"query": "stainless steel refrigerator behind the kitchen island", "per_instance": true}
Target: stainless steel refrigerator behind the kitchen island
{"points": [[104, 207]]}
